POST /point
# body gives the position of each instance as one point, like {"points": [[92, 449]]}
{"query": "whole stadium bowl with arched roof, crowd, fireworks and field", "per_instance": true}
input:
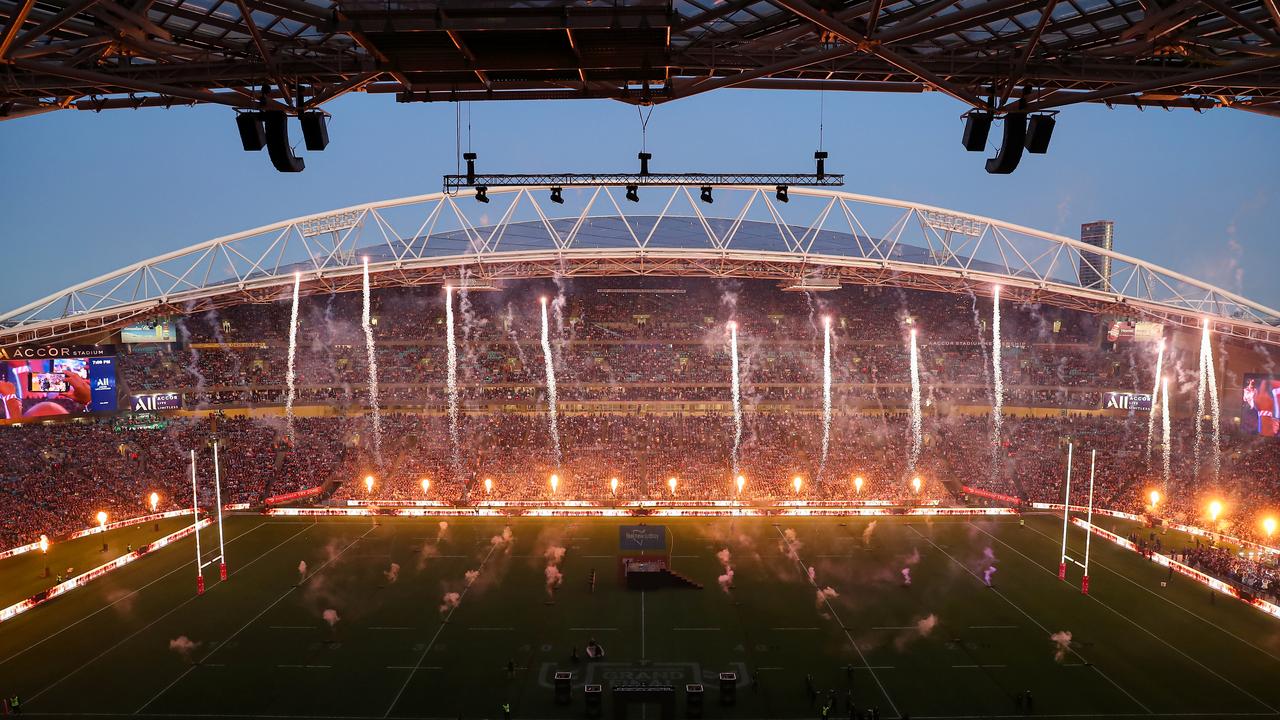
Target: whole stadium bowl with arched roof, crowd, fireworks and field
{"points": [[780, 455]]}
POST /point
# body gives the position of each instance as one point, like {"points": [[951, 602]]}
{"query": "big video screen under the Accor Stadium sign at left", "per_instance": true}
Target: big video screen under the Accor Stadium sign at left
{"points": [[44, 382]]}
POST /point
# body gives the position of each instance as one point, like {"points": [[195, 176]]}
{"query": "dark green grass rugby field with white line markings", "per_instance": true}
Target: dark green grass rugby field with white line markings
{"points": [[264, 648]]}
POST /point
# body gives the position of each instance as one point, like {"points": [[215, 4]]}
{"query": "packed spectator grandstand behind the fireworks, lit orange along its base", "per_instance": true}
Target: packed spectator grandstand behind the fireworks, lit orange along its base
{"points": [[644, 371]]}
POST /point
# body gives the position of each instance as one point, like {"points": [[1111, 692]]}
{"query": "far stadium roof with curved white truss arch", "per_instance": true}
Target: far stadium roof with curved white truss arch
{"points": [[817, 240]]}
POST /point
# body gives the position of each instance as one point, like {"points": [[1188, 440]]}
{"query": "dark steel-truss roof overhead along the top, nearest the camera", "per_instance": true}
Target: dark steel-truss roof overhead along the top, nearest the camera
{"points": [[296, 56]]}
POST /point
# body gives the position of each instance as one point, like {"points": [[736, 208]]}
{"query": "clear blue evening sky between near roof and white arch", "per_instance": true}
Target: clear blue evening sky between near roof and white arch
{"points": [[89, 193]]}
